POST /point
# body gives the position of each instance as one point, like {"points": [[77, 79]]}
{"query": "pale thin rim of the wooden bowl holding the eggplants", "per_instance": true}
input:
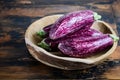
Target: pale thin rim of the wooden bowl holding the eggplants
{"points": [[72, 59]]}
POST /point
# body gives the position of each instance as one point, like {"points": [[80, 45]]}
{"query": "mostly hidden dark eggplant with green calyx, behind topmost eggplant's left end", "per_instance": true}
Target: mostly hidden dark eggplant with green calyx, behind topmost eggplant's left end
{"points": [[45, 31]]}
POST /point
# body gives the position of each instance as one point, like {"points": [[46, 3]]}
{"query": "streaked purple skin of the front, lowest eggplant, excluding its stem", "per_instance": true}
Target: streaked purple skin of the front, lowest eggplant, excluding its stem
{"points": [[85, 46]]}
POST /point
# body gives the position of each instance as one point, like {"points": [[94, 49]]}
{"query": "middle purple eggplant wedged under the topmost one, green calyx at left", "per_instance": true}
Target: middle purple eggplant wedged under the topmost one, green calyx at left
{"points": [[52, 45]]}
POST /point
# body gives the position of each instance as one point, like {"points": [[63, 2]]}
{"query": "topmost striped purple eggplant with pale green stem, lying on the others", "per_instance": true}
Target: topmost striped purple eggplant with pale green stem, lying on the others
{"points": [[72, 22]]}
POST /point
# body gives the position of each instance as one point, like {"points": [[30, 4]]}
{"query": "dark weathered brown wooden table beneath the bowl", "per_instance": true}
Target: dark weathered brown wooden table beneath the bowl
{"points": [[17, 15]]}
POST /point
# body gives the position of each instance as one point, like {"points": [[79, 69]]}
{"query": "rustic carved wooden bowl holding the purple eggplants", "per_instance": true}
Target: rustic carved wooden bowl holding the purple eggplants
{"points": [[58, 60]]}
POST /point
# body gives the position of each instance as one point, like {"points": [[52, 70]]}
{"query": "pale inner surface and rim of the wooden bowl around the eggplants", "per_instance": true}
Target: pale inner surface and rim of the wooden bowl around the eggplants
{"points": [[98, 25]]}
